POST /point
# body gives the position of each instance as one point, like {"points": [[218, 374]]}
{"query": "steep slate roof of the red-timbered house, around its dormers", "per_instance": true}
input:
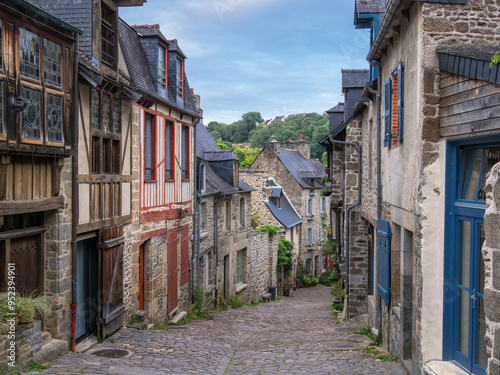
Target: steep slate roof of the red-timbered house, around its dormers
{"points": [[137, 65]]}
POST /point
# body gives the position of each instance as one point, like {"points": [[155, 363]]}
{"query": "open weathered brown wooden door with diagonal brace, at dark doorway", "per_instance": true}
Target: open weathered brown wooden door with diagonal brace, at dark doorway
{"points": [[112, 307]]}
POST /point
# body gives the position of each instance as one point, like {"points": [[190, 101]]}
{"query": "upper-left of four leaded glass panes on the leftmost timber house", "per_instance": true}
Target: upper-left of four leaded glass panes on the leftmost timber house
{"points": [[29, 54]]}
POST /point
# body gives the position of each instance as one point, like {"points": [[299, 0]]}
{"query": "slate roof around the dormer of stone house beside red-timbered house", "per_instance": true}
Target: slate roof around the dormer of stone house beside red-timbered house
{"points": [[206, 145]]}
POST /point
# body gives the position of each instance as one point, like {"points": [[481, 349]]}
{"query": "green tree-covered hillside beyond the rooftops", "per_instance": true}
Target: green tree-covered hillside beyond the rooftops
{"points": [[251, 130]]}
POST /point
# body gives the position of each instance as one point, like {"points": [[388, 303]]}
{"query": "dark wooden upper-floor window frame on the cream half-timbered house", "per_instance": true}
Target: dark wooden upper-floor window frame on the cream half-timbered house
{"points": [[105, 139]]}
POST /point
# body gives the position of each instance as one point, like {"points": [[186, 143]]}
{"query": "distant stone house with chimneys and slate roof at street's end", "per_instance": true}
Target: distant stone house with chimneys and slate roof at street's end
{"points": [[302, 179]]}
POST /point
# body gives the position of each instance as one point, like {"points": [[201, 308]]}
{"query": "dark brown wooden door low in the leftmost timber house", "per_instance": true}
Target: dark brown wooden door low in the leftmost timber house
{"points": [[26, 254]]}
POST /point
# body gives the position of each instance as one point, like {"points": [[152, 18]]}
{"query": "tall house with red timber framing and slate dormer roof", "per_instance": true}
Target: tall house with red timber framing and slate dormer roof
{"points": [[165, 111]]}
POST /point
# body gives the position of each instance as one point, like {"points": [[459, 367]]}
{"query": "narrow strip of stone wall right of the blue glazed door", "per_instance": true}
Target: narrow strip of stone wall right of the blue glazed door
{"points": [[491, 257]]}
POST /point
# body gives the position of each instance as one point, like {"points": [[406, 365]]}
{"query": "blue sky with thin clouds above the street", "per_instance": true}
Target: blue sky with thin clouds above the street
{"points": [[271, 56]]}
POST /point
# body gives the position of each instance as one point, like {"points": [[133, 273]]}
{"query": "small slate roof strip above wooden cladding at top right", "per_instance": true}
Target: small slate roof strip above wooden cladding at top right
{"points": [[472, 61]]}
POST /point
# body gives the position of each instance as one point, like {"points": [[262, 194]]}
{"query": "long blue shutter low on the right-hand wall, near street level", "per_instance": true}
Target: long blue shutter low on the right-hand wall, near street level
{"points": [[384, 259]]}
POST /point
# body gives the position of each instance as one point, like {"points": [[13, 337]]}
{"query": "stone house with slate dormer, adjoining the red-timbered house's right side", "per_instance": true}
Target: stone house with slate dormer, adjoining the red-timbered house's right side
{"points": [[232, 260]]}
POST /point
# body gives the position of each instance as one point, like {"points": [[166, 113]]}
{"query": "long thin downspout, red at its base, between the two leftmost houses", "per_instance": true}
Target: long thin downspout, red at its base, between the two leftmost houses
{"points": [[74, 191]]}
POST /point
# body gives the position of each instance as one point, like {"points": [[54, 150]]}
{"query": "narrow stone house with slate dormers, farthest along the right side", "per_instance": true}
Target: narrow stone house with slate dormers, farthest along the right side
{"points": [[348, 228]]}
